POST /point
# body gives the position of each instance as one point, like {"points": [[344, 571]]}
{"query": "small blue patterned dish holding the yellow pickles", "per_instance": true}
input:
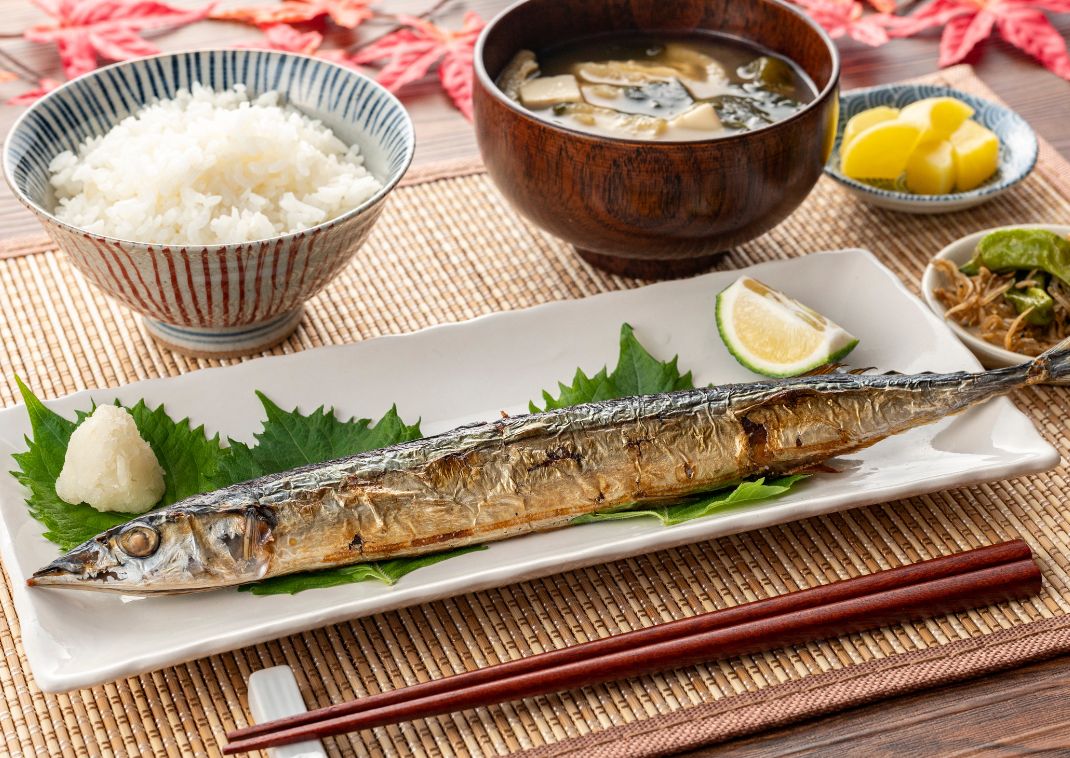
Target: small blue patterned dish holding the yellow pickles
{"points": [[1018, 149]]}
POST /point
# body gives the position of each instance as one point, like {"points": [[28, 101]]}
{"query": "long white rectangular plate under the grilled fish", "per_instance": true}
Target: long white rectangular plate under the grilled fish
{"points": [[461, 373]]}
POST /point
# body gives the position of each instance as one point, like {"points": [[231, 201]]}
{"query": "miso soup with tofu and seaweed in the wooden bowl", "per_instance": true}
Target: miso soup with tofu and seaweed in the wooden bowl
{"points": [[663, 86]]}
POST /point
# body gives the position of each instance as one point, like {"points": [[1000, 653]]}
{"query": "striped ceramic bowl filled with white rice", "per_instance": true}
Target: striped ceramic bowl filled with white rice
{"points": [[212, 192]]}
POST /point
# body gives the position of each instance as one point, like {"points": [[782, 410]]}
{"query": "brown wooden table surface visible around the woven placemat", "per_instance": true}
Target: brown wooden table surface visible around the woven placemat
{"points": [[1022, 712]]}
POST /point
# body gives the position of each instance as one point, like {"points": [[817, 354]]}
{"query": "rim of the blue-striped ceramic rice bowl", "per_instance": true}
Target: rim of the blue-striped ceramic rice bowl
{"points": [[389, 183]]}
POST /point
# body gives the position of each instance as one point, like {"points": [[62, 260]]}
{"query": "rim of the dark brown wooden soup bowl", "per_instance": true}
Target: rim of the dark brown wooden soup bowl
{"points": [[829, 90]]}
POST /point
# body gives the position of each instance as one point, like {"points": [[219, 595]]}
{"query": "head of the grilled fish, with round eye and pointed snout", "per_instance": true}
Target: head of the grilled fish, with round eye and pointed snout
{"points": [[170, 552]]}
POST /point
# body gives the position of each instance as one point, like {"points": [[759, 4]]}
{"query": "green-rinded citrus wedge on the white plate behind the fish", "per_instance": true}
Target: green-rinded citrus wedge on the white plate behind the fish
{"points": [[775, 336]]}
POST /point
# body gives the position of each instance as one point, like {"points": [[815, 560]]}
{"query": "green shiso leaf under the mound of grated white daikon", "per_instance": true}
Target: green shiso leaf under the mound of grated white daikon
{"points": [[189, 460]]}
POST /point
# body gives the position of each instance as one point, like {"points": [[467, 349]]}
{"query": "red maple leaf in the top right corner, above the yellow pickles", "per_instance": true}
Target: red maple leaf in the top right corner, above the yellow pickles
{"points": [[967, 23]]}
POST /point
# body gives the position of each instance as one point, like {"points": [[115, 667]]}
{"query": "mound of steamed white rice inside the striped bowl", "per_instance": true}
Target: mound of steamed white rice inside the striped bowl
{"points": [[210, 168]]}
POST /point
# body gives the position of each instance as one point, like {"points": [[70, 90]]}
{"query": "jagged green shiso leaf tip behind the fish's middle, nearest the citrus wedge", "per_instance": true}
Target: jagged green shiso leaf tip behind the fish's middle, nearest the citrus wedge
{"points": [[637, 373]]}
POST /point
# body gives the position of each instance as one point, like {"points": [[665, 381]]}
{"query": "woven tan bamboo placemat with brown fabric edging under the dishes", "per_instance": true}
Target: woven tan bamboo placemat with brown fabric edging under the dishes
{"points": [[450, 249]]}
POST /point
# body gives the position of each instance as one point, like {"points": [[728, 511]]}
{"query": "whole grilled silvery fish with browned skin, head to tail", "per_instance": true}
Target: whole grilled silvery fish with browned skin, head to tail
{"points": [[511, 477]]}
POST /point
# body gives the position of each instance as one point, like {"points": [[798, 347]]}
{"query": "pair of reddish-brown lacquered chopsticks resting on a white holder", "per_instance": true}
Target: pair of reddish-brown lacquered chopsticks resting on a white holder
{"points": [[936, 587]]}
